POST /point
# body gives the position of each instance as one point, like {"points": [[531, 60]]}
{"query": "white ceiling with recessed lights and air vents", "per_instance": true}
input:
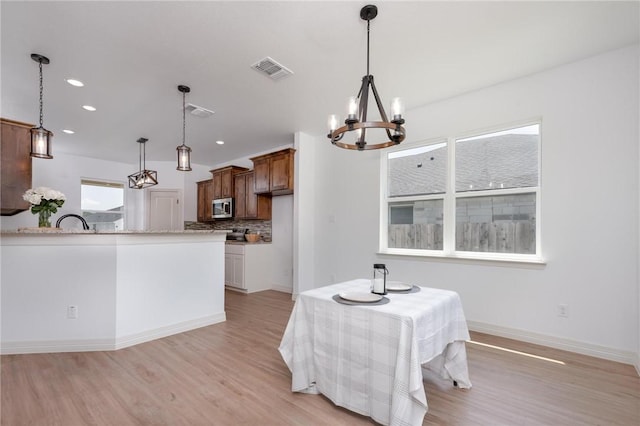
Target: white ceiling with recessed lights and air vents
{"points": [[133, 55]]}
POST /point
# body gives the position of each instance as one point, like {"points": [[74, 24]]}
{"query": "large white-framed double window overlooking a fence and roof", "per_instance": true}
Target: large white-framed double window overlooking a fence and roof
{"points": [[474, 197]]}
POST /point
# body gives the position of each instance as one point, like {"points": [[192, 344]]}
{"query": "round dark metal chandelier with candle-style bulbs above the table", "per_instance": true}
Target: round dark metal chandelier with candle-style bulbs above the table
{"points": [[356, 120]]}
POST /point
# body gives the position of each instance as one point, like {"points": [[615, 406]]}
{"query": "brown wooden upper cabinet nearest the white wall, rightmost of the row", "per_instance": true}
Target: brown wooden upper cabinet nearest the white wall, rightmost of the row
{"points": [[274, 172]]}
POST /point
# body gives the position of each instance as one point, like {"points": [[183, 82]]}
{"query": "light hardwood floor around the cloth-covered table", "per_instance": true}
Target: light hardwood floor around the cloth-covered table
{"points": [[232, 374]]}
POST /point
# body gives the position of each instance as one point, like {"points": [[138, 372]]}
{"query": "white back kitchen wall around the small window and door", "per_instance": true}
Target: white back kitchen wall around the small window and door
{"points": [[64, 173]]}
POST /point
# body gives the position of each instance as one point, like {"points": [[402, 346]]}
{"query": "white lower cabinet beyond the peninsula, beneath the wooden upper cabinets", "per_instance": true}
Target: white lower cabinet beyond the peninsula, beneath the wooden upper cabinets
{"points": [[248, 267]]}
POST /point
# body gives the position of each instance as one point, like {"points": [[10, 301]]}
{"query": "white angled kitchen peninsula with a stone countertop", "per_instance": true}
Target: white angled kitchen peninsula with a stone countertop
{"points": [[81, 291]]}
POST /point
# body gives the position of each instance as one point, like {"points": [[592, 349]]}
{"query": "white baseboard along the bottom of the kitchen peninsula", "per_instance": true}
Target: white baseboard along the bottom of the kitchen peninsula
{"points": [[90, 345]]}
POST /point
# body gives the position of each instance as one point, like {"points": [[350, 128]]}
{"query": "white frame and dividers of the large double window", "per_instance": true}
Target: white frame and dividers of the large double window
{"points": [[450, 198]]}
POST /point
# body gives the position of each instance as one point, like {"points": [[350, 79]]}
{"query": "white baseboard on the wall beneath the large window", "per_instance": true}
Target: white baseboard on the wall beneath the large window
{"points": [[625, 357]]}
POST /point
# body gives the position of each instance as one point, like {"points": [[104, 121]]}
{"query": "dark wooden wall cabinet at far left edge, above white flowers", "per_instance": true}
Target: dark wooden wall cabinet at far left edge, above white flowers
{"points": [[15, 166]]}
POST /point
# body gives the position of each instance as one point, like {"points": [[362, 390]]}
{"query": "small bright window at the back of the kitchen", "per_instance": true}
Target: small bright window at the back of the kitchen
{"points": [[102, 204]]}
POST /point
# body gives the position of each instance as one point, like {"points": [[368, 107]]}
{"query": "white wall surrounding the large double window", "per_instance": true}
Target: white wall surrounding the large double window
{"points": [[589, 111]]}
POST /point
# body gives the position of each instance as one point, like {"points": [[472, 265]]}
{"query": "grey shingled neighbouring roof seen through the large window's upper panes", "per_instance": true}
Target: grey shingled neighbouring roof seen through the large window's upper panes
{"points": [[505, 161]]}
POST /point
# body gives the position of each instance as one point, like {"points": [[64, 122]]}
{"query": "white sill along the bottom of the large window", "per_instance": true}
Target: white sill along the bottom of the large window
{"points": [[498, 259]]}
